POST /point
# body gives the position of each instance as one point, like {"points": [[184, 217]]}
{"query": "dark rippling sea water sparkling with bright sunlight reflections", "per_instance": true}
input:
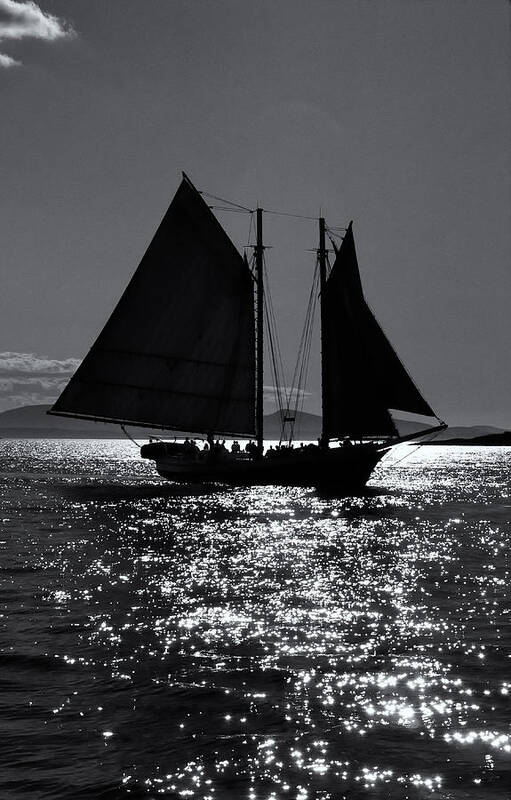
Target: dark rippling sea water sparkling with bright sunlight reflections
{"points": [[258, 643]]}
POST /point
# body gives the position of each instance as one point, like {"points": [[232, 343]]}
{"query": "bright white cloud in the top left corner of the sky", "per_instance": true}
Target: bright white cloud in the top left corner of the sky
{"points": [[23, 19]]}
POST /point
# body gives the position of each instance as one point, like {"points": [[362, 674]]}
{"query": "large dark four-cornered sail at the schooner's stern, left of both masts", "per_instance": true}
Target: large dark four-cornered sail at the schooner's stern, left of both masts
{"points": [[178, 351]]}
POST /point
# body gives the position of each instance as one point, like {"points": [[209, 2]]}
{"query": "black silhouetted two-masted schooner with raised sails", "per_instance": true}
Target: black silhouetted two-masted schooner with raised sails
{"points": [[183, 350]]}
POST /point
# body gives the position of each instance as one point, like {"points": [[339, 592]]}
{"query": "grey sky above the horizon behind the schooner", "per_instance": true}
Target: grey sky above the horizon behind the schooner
{"points": [[395, 114]]}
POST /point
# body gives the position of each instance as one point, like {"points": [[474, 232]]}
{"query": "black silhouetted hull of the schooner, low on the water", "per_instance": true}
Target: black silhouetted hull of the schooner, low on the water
{"points": [[341, 469]]}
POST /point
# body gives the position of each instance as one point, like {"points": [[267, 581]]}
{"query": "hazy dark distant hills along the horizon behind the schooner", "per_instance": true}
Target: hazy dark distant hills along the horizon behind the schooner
{"points": [[32, 422]]}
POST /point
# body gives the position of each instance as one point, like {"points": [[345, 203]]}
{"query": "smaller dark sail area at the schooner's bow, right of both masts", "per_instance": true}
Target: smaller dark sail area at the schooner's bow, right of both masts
{"points": [[364, 376]]}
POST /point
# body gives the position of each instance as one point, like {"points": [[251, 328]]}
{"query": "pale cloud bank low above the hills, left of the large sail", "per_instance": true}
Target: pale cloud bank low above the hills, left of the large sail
{"points": [[29, 379]]}
